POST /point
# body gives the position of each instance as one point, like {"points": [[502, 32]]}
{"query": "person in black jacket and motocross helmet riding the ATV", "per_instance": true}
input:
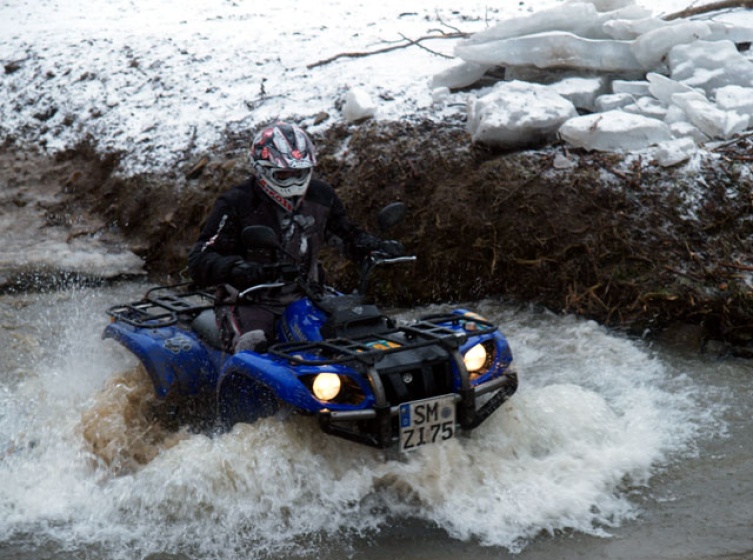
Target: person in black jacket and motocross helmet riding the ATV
{"points": [[304, 212]]}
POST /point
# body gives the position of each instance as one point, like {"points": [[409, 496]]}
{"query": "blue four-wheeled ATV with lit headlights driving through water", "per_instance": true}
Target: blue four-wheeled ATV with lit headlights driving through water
{"points": [[367, 377]]}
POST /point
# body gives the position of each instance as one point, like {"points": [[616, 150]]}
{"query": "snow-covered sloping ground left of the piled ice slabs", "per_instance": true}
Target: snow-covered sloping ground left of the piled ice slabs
{"points": [[162, 81]]}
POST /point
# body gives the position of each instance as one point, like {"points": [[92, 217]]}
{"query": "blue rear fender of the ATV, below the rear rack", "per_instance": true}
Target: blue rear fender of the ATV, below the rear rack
{"points": [[175, 359]]}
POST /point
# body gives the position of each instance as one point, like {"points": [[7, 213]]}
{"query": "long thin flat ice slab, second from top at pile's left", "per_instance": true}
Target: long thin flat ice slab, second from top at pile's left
{"points": [[553, 50]]}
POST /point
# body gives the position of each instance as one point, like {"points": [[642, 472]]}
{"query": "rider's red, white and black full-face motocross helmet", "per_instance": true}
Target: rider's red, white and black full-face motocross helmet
{"points": [[283, 157]]}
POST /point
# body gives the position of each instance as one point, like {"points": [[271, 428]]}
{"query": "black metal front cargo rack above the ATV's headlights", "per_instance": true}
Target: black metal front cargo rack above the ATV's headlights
{"points": [[428, 331]]}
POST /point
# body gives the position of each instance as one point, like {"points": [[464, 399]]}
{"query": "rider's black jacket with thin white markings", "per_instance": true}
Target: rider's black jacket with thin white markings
{"points": [[318, 220]]}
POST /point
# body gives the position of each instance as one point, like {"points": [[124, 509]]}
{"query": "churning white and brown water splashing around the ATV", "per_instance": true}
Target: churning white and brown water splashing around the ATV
{"points": [[85, 466]]}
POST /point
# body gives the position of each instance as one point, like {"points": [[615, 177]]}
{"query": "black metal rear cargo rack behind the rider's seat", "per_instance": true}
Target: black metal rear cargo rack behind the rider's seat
{"points": [[163, 306]]}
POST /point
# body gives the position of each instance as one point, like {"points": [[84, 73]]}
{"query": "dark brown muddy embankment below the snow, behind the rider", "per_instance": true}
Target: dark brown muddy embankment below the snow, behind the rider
{"points": [[612, 238]]}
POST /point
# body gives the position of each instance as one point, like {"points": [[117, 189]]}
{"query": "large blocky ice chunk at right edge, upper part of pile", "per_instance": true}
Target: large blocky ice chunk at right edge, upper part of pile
{"points": [[710, 65]]}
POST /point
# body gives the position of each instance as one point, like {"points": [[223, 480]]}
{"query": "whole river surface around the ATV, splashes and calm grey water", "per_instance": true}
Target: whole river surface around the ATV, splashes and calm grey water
{"points": [[611, 449]]}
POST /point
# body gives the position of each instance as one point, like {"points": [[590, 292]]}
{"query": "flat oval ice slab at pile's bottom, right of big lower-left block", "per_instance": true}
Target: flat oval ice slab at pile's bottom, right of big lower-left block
{"points": [[614, 131]]}
